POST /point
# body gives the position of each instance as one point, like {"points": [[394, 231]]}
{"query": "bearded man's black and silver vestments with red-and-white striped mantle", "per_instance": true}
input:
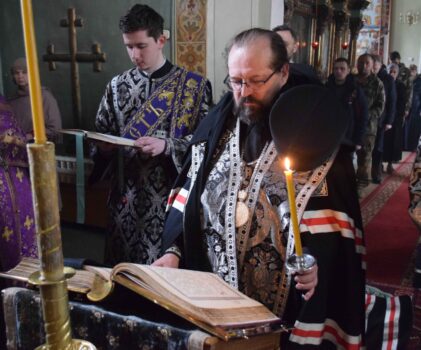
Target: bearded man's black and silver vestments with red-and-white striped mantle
{"points": [[201, 221]]}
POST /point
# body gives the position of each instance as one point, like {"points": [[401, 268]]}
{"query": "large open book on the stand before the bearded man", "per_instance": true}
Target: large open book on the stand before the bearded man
{"points": [[199, 297]]}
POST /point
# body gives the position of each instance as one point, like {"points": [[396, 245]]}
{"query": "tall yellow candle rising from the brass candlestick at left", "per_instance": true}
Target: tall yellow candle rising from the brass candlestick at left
{"points": [[33, 74]]}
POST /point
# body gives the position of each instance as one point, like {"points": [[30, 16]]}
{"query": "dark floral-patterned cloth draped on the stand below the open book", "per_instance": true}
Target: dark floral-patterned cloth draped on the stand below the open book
{"points": [[103, 328]]}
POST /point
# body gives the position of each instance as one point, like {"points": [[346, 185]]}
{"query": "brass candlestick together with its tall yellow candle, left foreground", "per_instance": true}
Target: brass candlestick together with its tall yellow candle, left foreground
{"points": [[51, 279]]}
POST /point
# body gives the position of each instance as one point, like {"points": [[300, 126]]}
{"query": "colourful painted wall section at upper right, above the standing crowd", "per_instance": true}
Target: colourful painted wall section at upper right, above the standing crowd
{"points": [[376, 25]]}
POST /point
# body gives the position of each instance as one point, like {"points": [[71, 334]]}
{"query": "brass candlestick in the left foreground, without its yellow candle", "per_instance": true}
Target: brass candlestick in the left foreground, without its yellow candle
{"points": [[51, 279]]}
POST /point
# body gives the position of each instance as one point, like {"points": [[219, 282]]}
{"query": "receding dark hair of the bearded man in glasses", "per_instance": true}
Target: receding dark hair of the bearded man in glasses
{"points": [[249, 36]]}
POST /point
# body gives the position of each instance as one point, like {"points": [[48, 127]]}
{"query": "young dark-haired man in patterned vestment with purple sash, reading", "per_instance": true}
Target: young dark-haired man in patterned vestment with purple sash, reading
{"points": [[159, 105]]}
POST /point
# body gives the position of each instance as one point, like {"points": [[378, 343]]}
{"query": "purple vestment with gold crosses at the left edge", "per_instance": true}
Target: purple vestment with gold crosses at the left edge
{"points": [[17, 224]]}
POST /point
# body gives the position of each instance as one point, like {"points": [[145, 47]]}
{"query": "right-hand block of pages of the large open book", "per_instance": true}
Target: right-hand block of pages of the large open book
{"points": [[202, 292]]}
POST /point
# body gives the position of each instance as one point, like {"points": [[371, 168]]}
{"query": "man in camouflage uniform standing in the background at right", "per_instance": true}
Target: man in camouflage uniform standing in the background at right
{"points": [[374, 92]]}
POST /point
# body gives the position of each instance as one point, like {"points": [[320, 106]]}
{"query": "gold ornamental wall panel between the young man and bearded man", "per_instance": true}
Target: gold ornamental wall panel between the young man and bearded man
{"points": [[191, 35]]}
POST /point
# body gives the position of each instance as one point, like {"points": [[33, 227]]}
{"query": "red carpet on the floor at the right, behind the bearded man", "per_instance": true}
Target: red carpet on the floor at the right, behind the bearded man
{"points": [[390, 235]]}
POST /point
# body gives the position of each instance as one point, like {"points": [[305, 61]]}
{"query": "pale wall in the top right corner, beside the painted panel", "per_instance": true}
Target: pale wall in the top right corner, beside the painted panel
{"points": [[406, 38]]}
